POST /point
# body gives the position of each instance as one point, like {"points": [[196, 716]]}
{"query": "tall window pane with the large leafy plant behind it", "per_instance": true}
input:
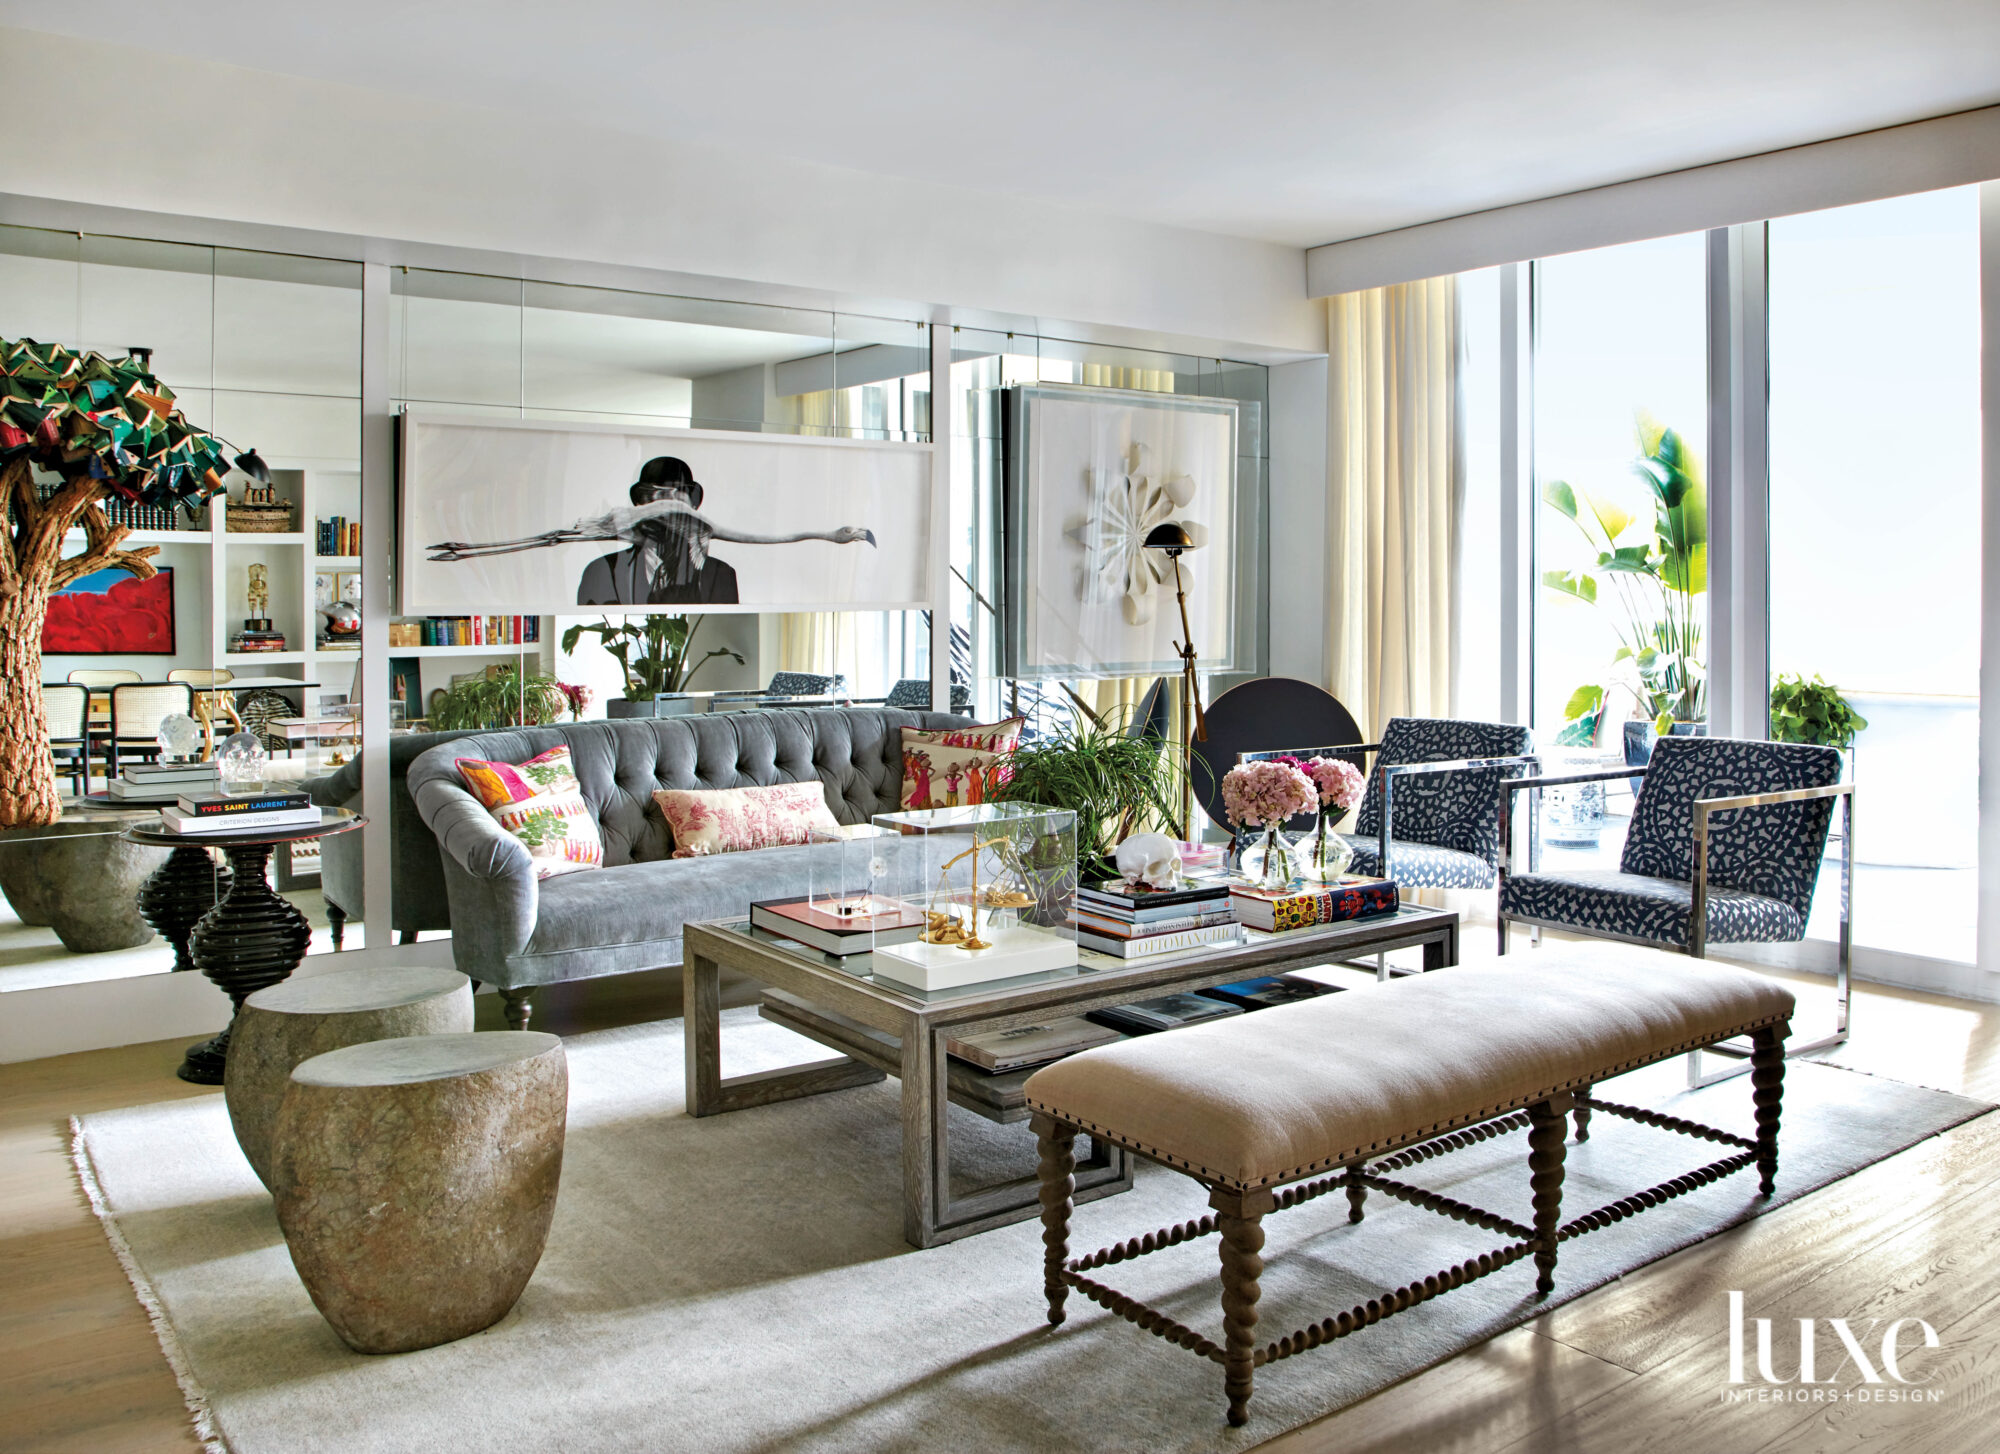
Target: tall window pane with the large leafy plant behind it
{"points": [[1621, 409]]}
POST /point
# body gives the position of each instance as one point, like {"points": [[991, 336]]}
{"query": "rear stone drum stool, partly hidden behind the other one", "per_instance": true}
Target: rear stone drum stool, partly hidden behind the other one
{"points": [[297, 1021]]}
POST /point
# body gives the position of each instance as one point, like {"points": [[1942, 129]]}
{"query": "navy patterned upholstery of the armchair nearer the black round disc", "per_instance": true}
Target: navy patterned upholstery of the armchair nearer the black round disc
{"points": [[1445, 829]]}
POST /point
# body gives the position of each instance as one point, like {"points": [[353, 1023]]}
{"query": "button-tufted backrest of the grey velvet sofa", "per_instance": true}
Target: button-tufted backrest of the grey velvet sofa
{"points": [[855, 753]]}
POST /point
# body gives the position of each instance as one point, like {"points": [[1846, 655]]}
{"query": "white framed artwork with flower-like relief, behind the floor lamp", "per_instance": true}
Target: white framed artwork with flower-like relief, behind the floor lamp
{"points": [[1089, 475]]}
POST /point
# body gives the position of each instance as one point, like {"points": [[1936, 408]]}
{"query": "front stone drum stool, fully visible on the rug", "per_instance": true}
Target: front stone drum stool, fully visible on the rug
{"points": [[417, 1181]]}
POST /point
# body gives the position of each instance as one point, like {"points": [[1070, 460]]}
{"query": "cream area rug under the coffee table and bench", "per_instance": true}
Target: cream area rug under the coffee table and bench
{"points": [[741, 1283]]}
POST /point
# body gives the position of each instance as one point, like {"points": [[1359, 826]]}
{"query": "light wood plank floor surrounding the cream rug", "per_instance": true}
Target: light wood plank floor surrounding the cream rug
{"points": [[1631, 1369]]}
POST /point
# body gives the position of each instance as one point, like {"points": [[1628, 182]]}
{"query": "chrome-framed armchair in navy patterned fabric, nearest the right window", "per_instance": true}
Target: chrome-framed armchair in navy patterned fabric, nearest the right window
{"points": [[1725, 849]]}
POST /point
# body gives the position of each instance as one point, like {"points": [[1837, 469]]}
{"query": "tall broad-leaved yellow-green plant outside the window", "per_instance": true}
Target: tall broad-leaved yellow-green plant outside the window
{"points": [[1653, 579]]}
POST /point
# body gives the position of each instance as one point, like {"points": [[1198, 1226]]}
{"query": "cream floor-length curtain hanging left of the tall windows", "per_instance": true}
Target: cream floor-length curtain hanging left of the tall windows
{"points": [[1395, 461]]}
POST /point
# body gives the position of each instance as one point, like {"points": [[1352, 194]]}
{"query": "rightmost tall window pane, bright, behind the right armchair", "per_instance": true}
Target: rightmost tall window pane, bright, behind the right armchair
{"points": [[1875, 553]]}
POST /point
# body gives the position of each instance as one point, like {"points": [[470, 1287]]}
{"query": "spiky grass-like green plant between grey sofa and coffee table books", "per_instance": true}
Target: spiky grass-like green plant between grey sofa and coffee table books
{"points": [[1113, 783]]}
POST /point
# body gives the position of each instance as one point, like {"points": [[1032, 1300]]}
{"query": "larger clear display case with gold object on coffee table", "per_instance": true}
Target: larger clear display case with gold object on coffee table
{"points": [[995, 887]]}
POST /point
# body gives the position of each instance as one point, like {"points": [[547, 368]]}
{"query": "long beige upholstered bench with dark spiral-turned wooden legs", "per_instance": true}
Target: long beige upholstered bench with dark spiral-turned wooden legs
{"points": [[1361, 1085]]}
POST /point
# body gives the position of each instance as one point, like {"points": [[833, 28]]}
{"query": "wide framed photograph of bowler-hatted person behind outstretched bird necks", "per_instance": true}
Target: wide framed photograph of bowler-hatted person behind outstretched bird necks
{"points": [[535, 517]]}
